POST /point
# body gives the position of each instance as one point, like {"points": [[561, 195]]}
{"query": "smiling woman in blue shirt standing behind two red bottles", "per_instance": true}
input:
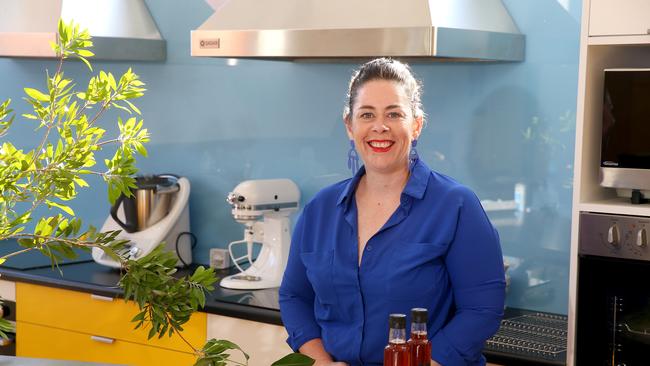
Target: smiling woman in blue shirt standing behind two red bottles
{"points": [[395, 236]]}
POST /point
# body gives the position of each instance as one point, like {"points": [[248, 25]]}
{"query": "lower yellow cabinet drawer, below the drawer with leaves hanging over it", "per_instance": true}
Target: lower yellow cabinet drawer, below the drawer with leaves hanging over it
{"points": [[44, 342]]}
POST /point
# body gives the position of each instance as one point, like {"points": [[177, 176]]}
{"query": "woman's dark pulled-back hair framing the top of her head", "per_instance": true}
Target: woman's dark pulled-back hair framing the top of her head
{"points": [[385, 69]]}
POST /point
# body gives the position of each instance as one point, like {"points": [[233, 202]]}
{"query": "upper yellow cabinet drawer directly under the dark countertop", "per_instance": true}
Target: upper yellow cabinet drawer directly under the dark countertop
{"points": [[97, 315]]}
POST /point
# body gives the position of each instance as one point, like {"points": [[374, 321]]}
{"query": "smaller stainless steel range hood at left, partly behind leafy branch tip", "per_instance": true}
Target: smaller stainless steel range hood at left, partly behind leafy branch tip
{"points": [[121, 29]]}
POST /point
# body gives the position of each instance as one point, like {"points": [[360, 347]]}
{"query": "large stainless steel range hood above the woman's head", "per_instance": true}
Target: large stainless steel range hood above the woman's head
{"points": [[452, 30]]}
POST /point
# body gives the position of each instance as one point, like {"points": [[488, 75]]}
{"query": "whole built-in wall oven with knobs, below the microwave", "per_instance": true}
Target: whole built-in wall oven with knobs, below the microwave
{"points": [[613, 298]]}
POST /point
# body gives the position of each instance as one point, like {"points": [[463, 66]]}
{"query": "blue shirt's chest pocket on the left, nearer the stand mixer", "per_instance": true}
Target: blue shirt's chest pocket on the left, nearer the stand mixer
{"points": [[319, 268]]}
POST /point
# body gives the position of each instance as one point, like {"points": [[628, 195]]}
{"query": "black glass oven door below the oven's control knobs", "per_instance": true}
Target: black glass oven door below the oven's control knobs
{"points": [[613, 312]]}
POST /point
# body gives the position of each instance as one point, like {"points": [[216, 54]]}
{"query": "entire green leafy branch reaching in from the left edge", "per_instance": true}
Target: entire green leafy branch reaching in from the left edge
{"points": [[51, 174]]}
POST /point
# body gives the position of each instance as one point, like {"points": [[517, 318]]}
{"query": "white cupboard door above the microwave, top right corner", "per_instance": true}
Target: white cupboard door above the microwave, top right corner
{"points": [[619, 17]]}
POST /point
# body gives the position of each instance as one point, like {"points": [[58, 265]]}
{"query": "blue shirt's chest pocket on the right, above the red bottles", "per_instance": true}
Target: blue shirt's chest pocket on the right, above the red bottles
{"points": [[416, 270]]}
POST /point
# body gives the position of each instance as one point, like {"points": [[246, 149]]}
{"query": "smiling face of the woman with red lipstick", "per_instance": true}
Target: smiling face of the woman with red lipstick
{"points": [[382, 126]]}
